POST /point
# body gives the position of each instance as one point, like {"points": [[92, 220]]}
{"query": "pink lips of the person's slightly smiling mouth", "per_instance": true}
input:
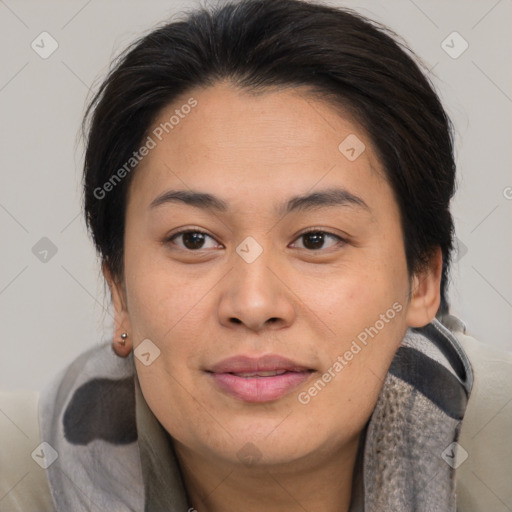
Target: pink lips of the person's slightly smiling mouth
{"points": [[257, 388]]}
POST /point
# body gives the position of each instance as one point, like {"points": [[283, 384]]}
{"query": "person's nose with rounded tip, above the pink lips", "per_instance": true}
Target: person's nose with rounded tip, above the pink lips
{"points": [[255, 295]]}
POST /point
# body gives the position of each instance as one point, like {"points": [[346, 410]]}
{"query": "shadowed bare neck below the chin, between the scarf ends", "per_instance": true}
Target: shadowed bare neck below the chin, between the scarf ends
{"points": [[320, 485]]}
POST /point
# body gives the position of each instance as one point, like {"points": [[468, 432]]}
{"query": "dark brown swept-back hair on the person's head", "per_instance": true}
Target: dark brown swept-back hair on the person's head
{"points": [[256, 44]]}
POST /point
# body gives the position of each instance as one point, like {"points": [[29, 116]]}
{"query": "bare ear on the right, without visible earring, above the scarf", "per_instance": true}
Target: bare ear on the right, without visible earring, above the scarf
{"points": [[425, 294]]}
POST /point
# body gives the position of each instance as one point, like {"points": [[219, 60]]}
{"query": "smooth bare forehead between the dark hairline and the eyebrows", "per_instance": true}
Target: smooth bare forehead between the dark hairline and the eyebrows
{"points": [[254, 144]]}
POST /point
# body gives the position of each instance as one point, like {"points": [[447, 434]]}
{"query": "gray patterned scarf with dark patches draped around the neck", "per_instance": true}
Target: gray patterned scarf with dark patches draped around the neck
{"points": [[114, 455]]}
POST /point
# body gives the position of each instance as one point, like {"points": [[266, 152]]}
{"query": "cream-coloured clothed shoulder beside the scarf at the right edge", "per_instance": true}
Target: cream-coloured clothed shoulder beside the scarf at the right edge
{"points": [[485, 452]]}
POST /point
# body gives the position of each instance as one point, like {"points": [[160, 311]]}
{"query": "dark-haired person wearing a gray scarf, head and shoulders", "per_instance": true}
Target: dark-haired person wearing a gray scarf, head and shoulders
{"points": [[267, 184]]}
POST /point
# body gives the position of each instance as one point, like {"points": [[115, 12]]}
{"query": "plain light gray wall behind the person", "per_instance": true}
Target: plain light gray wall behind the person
{"points": [[53, 310]]}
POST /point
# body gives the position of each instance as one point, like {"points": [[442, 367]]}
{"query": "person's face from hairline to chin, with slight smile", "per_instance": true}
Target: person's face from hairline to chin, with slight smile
{"points": [[276, 318]]}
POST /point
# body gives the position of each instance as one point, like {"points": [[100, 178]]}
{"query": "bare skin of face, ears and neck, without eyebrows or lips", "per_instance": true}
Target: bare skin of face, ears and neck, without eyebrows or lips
{"points": [[201, 306]]}
